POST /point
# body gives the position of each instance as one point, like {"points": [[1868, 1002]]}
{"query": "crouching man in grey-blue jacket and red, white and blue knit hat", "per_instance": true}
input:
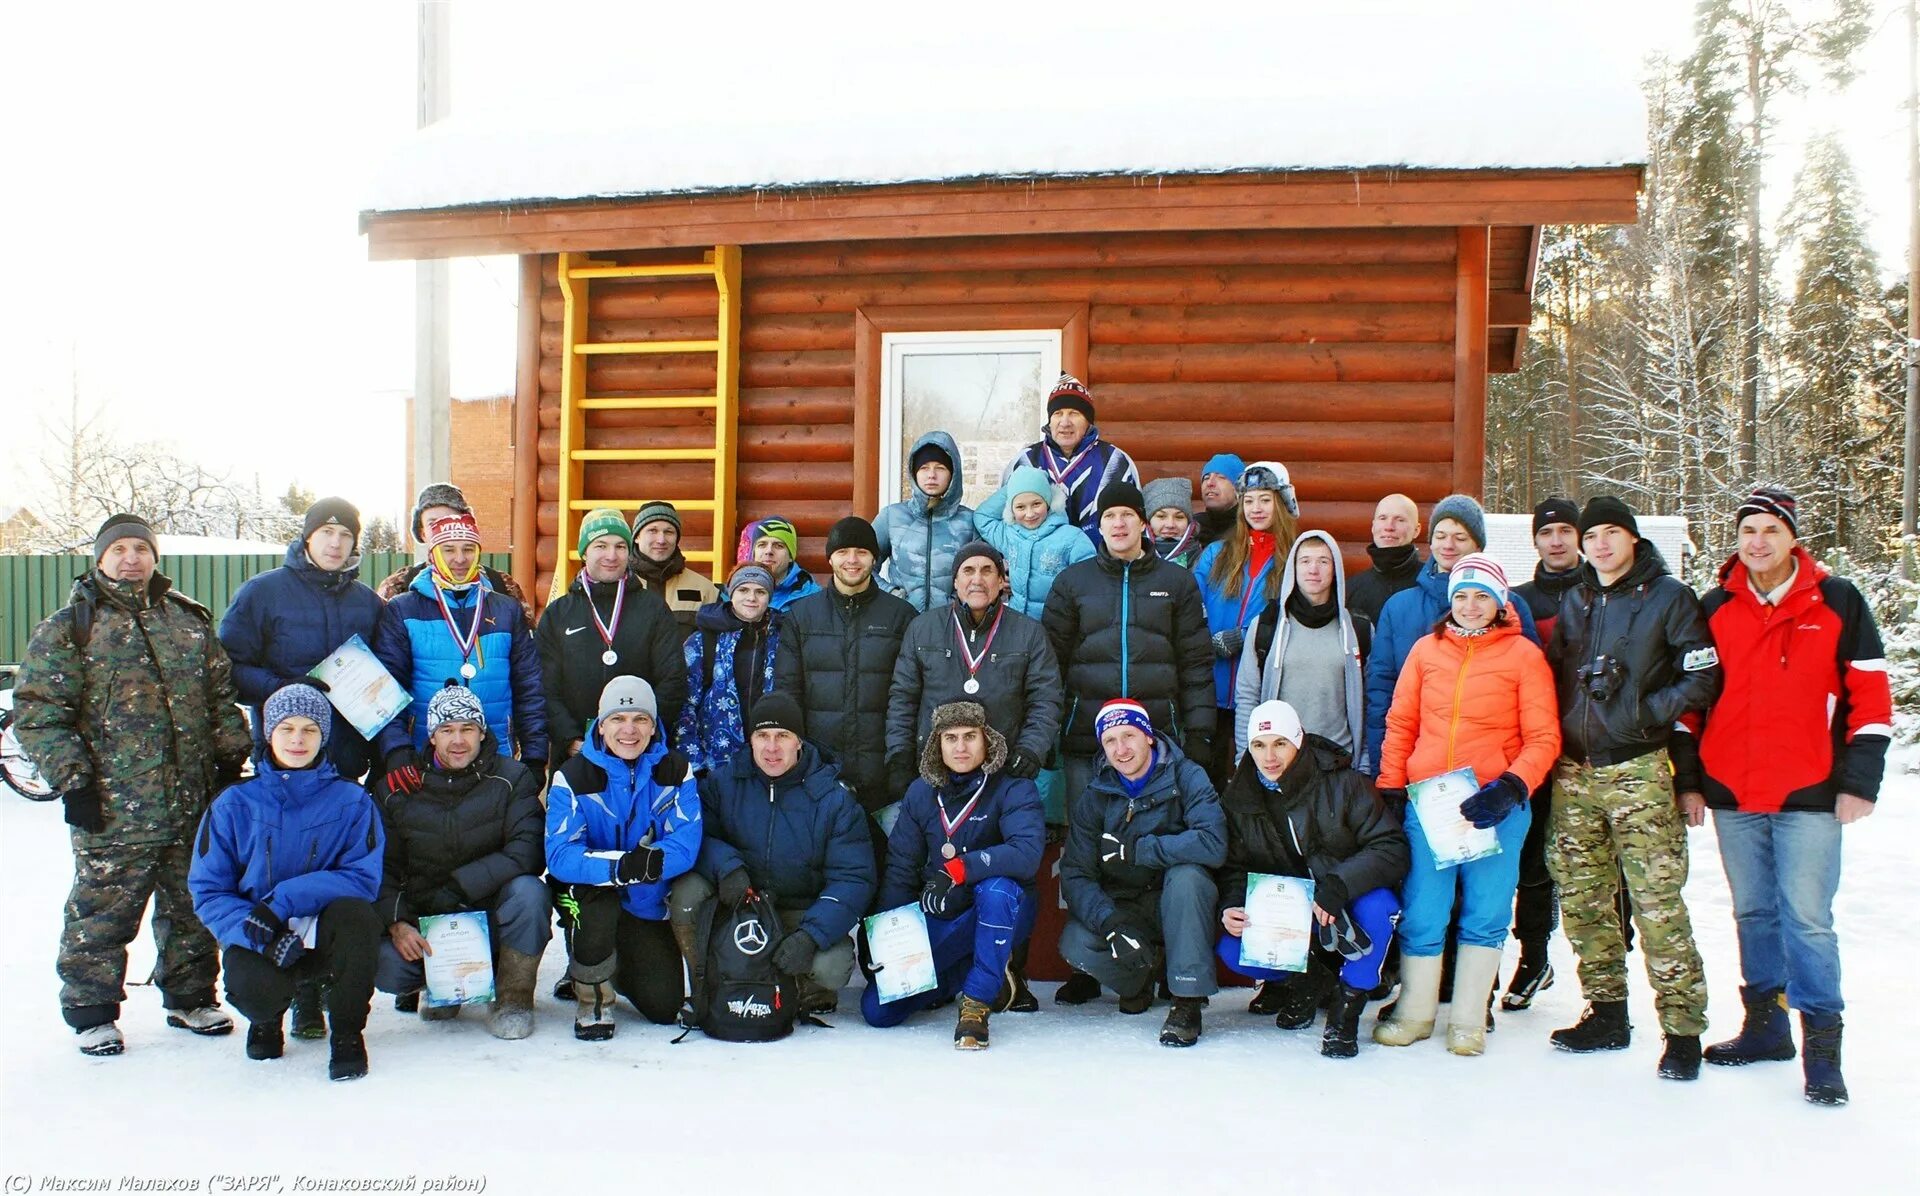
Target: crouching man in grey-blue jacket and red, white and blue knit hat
{"points": [[1136, 873]]}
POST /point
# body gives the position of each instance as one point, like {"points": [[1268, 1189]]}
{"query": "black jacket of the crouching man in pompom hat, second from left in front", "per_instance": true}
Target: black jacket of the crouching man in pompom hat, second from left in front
{"points": [[456, 842]]}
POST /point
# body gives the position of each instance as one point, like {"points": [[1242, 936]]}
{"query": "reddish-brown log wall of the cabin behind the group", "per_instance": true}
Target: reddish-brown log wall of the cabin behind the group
{"points": [[1330, 350]]}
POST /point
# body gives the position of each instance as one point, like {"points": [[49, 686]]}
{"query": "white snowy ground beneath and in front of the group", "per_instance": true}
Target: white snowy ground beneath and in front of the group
{"points": [[1065, 1101]]}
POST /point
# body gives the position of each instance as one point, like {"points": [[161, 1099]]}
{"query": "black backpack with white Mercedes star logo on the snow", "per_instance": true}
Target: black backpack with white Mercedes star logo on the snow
{"points": [[738, 993]]}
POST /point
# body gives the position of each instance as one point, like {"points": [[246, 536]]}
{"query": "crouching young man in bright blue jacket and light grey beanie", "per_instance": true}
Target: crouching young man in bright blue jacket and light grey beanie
{"points": [[623, 823]]}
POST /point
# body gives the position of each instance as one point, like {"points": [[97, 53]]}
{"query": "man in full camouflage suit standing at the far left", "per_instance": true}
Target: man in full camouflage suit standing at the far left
{"points": [[128, 706]]}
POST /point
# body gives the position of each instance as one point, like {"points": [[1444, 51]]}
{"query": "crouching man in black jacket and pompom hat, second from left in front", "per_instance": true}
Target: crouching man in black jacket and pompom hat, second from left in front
{"points": [[469, 838]]}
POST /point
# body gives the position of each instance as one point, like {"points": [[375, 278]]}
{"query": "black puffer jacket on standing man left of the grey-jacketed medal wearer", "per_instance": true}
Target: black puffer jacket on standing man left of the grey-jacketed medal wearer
{"points": [[836, 659]]}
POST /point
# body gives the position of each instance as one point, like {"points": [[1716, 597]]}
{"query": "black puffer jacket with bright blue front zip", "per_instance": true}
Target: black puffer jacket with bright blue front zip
{"points": [[1132, 629]]}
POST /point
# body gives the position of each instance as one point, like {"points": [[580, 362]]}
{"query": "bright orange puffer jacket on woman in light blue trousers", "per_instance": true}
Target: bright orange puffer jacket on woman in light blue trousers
{"points": [[1474, 702]]}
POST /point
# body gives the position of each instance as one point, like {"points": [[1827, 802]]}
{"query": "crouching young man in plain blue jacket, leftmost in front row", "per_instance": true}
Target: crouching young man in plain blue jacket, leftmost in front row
{"points": [[285, 873]]}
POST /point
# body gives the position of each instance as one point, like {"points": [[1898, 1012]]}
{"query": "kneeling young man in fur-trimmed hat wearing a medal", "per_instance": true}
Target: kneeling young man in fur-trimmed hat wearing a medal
{"points": [[967, 848]]}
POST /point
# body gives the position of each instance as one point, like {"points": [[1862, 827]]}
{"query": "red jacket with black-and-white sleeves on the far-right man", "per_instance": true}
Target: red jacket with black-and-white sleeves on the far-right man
{"points": [[1806, 711]]}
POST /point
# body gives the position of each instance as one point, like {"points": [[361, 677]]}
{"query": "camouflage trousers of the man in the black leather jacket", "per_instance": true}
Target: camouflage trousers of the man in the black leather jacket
{"points": [[1614, 823]]}
